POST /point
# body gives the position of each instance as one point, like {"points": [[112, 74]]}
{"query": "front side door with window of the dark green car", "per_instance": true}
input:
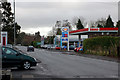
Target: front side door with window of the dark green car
{"points": [[9, 57]]}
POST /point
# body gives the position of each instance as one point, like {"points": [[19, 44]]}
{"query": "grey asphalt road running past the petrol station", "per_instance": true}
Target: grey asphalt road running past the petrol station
{"points": [[55, 64]]}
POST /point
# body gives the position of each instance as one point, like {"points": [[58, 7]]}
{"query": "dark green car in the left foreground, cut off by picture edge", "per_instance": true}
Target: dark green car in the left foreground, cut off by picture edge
{"points": [[15, 58]]}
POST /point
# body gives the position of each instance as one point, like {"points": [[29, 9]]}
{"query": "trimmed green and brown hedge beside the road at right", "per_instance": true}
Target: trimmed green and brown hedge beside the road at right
{"points": [[104, 45]]}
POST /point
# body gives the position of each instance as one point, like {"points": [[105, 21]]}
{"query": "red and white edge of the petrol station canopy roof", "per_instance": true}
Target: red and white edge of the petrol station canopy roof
{"points": [[93, 30]]}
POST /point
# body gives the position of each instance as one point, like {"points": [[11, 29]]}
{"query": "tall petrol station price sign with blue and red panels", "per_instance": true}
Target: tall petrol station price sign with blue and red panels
{"points": [[65, 36]]}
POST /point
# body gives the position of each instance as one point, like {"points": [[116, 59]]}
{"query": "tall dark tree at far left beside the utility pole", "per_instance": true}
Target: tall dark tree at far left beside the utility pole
{"points": [[8, 22]]}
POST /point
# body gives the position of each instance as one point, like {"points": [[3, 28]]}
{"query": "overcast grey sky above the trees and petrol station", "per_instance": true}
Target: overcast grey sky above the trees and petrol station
{"points": [[41, 15]]}
